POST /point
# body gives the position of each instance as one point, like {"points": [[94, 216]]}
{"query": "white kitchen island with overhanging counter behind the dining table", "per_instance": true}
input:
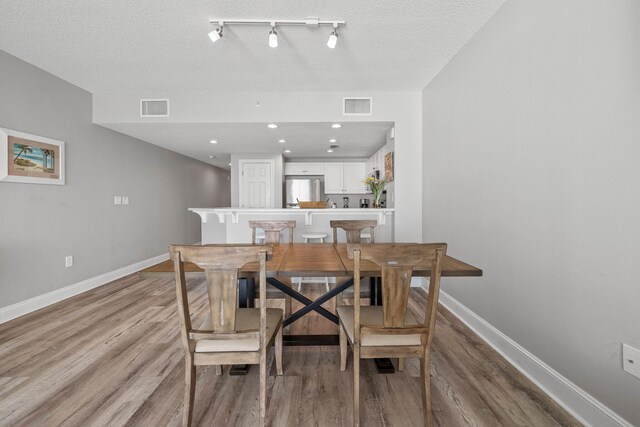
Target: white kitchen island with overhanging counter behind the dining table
{"points": [[231, 225]]}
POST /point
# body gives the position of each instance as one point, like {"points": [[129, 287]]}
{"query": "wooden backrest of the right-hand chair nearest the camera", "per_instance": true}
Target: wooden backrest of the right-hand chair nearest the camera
{"points": [[398, 261]]}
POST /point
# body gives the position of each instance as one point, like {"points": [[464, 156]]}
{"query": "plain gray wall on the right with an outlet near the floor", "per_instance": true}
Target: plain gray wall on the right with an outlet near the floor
{"points": [[532, 172]]}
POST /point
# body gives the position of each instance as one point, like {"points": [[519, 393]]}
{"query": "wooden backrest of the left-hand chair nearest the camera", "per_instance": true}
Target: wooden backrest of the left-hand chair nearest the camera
{"points": [[221, 264]]}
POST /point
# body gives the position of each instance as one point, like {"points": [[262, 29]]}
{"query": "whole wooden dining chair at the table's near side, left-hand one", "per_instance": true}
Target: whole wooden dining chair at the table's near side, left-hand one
{"points": [[229, 335]]}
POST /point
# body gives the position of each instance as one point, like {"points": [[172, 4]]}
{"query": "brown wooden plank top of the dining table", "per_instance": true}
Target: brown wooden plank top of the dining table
{"points": [[318, 260]]}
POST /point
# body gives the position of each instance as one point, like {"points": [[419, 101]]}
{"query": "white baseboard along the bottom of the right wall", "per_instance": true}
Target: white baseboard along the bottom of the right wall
{"points": [[576, 401]]}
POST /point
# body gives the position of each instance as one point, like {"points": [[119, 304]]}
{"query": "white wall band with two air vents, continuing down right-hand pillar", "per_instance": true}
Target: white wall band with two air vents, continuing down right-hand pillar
{"points": [[403, 108]]}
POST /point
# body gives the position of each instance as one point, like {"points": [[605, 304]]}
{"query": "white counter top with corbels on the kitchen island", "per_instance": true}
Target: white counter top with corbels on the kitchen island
{"points": [[234, 213]]}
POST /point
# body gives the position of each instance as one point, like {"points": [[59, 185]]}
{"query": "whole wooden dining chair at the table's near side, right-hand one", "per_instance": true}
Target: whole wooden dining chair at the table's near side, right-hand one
{"points": [[391, 330]]}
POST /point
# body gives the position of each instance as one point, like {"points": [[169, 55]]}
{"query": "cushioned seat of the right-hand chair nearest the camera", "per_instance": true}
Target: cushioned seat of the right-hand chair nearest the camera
{"points": [[373, 316]]}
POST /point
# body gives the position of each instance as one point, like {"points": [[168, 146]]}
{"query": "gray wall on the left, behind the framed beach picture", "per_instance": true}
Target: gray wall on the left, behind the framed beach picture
{"points": [[41, 224]]}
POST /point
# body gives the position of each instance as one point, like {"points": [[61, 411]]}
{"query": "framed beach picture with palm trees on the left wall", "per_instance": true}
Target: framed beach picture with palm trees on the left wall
{"points": [[30, 159]]}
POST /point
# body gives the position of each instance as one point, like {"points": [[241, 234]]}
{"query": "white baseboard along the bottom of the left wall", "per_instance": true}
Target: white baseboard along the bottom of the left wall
{"points": [[32, 304]]}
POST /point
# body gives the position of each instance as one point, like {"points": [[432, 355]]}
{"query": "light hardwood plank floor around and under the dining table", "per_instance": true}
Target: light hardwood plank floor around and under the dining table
{"points": [[112, 356]]}
